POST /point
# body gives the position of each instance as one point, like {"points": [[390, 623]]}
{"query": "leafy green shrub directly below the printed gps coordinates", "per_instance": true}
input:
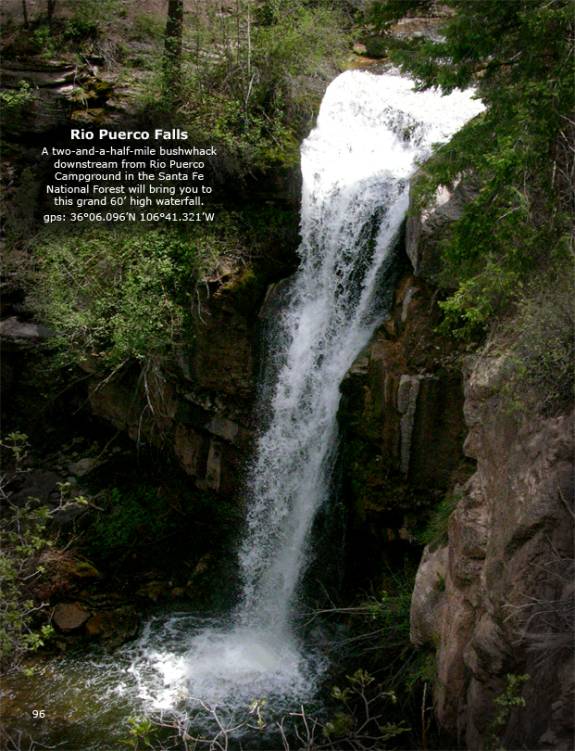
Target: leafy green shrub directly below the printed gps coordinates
{"points": [[118, 294]]}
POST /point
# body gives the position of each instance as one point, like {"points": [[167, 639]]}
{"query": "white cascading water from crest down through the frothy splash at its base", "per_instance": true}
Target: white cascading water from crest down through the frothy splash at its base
{"points": [[372, 132]]}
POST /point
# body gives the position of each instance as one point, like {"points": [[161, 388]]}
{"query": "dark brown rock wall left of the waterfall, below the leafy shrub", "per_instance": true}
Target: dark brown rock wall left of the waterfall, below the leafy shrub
{"points": [[199, 407]]}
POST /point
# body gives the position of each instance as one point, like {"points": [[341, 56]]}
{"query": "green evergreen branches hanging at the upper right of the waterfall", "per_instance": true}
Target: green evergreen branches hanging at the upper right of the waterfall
{"points": [[519, 150]]}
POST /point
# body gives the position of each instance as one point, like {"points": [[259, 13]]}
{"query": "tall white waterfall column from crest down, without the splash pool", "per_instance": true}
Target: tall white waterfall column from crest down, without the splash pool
{"points": [[371, 132]]}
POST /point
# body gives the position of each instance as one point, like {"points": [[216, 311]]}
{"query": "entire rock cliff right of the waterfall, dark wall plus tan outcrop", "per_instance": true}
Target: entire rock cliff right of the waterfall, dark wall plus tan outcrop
{"points": [[496, 601]]}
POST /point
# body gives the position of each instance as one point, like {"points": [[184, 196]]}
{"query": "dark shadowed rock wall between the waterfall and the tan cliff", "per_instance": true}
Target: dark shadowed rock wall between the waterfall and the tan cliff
{"points": [[403, 428]]}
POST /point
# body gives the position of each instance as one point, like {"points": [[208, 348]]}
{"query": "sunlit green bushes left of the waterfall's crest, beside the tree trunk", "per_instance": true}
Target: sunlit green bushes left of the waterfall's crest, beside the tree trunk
{"points": [[247, 77]]}
